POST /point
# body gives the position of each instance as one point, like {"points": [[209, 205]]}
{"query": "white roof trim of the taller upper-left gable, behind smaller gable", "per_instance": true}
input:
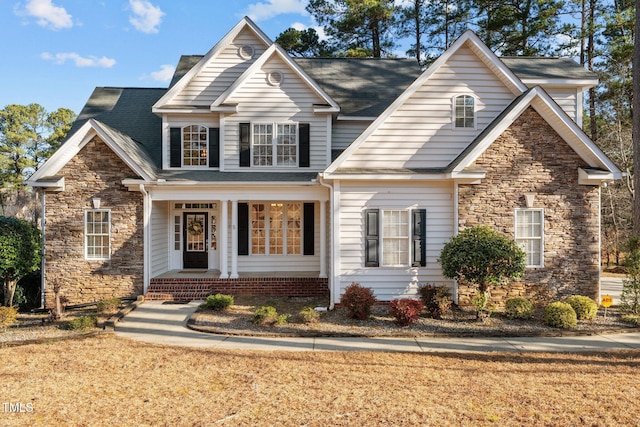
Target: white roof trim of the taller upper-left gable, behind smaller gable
{"points": [[176, 87]]}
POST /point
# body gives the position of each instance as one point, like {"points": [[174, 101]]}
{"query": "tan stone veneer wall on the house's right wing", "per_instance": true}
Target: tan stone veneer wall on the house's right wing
{"points": [[530, 157]]}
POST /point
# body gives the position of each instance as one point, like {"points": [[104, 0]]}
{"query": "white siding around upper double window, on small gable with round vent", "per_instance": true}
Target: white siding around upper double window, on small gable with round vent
{"points": [[290, 102]]}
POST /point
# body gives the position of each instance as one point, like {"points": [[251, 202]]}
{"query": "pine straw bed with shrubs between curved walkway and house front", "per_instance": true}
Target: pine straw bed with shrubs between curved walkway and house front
{"points": [[238, 320]]}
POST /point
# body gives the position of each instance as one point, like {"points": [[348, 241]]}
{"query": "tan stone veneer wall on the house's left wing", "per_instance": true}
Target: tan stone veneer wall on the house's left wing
{"points": [[96, 171]]}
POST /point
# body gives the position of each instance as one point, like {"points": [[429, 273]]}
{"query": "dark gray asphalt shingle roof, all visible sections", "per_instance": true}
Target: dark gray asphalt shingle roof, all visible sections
{"points": [[362, 87]]}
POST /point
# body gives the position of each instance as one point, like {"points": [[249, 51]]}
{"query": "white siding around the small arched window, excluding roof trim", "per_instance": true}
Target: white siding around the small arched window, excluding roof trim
{"points": [[420, 133]]}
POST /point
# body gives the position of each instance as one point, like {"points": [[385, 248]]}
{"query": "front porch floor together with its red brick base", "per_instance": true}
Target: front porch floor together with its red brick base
{"points": [[192, 284]]}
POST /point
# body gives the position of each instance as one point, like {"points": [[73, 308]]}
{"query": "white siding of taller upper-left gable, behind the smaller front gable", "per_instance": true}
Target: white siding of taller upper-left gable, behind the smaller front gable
{"points": [[220, 73]]}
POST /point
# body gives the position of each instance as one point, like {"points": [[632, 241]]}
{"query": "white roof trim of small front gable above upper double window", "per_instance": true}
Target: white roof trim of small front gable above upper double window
{"points": [[275, 50]]}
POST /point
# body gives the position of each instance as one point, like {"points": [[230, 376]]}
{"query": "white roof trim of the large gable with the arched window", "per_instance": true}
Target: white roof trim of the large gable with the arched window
{"points": [[510, 80]]}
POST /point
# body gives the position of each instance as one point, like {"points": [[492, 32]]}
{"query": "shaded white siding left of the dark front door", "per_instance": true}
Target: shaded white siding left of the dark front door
{"points": [[160, 243]]}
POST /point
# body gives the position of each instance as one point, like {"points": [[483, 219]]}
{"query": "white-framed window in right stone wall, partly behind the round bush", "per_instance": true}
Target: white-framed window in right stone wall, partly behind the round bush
{"points": [[529, 225]]}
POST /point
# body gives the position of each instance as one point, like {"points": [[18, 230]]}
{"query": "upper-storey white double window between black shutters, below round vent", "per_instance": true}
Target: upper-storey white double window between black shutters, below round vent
{"points": [[275, 144]]}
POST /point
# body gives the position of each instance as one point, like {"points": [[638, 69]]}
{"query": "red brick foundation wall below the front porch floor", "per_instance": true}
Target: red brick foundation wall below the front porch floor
{"points": [[200, 288]]}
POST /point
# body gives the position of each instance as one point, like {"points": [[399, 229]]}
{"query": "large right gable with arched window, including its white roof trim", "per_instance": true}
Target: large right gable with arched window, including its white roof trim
{"points": [[417, 131]]}
